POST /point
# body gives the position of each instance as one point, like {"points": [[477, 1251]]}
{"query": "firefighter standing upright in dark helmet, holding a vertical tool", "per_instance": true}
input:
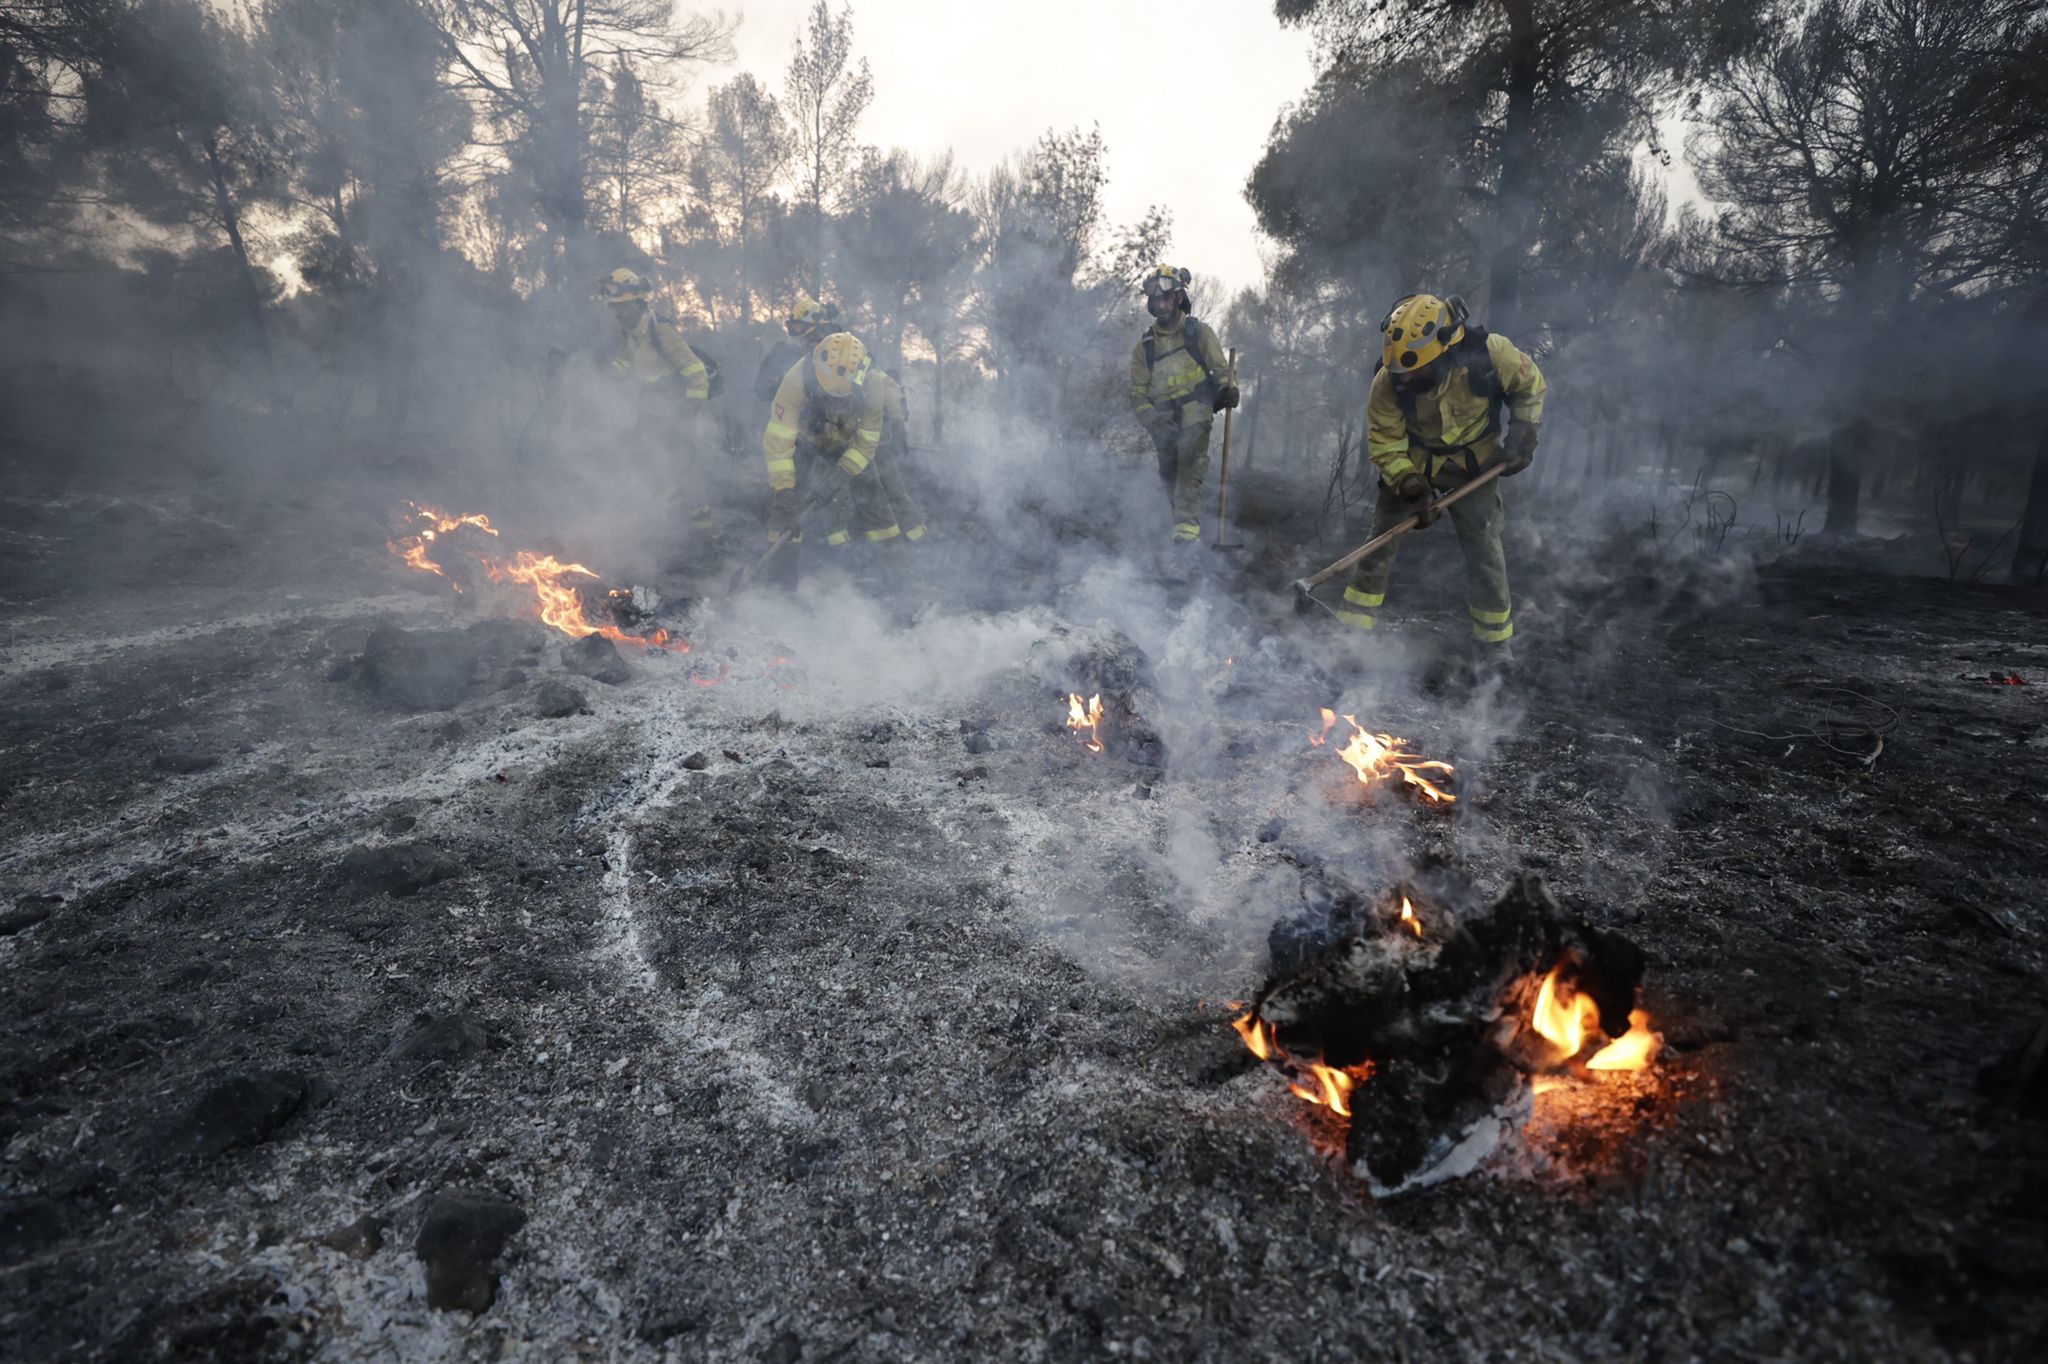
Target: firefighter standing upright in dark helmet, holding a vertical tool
{"points": [[1179, 384]]}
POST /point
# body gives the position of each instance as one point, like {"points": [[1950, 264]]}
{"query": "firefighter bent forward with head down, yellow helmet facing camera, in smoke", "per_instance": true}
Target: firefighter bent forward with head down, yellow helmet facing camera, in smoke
{"points": [[824, 435]]}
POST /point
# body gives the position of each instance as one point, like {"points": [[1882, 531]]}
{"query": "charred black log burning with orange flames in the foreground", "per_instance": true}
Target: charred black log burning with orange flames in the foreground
{"points": [[1424, 1025]]}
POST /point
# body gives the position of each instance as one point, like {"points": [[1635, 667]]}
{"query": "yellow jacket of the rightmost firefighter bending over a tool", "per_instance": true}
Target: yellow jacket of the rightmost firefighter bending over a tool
{"points": [[1451, 419]]}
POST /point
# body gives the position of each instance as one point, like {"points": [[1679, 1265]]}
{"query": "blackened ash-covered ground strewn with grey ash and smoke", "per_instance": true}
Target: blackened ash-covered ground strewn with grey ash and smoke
{"points": [[816, 996]]}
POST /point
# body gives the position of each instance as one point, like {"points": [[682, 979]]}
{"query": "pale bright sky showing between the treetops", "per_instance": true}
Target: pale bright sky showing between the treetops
{"points": [[988, 79]]}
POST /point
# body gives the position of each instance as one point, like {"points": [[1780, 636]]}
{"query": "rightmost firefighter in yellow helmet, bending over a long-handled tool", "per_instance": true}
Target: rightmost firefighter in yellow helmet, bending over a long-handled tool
{"points": [[1433, 423]]}
